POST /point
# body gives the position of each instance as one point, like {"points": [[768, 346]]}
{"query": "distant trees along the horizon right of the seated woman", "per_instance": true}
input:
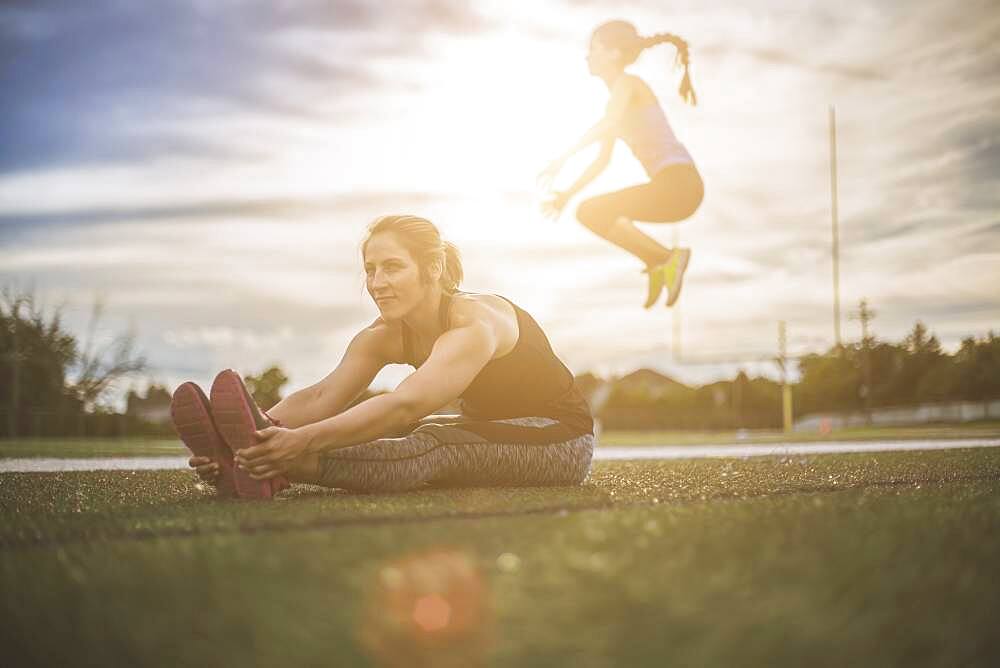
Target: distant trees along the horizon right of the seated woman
{"points": [[849, 378]]}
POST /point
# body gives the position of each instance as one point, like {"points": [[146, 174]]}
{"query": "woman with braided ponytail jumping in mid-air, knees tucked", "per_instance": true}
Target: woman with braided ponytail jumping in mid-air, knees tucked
{"points": [[675, 189]]}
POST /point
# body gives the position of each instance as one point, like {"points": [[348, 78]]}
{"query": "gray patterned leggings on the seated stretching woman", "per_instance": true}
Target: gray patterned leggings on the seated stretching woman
{"points": [[451, 451]]}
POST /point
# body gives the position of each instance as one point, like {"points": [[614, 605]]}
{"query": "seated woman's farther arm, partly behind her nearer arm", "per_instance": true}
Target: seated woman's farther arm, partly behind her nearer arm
{"points": [[362, 360]]}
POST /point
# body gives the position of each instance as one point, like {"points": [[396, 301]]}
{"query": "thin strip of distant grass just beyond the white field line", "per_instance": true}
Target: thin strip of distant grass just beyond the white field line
{"points": [[85, 447]]}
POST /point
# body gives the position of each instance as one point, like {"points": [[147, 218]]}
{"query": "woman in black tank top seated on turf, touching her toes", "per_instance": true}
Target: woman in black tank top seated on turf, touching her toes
{"points": [[523, 420]]}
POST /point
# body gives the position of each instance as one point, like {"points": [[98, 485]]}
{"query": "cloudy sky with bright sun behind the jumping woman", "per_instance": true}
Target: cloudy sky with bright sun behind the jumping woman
{"points": [[206, 169]]}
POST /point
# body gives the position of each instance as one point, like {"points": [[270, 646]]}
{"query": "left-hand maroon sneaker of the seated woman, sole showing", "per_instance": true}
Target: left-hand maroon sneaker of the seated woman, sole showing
{"points": [[192, 417]]}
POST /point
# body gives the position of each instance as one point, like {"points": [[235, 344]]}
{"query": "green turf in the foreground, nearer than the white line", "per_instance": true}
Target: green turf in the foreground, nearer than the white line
{"points": [[883, 559]]}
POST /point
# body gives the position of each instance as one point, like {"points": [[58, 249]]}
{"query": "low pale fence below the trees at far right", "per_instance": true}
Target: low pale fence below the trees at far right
{"points": [[953, 411]]}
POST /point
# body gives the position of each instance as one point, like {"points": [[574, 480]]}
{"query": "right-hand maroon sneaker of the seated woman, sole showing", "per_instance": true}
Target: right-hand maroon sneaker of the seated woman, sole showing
{"points": [[237, 417]]}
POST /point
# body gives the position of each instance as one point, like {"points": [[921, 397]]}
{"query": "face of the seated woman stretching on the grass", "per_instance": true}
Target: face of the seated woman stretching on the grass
{"points": [[392, 276]]}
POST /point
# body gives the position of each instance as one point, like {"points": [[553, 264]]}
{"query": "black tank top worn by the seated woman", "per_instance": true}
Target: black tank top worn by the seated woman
{"points": [[529, 381]]}
